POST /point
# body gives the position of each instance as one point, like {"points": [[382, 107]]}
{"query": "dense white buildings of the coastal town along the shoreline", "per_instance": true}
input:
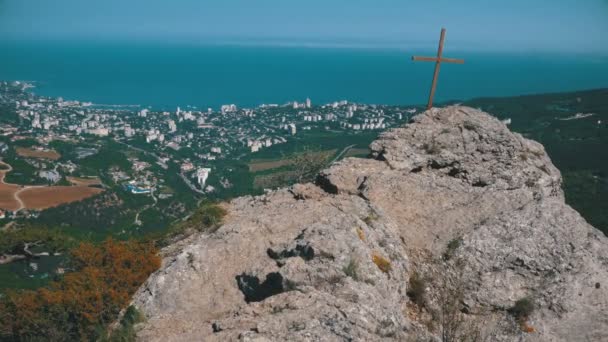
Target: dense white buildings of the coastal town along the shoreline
{"points": [[191, 138]]}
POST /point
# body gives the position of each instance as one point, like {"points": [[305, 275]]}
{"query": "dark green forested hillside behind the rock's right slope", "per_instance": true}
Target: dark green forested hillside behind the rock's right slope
{"points": [[577, 146]]}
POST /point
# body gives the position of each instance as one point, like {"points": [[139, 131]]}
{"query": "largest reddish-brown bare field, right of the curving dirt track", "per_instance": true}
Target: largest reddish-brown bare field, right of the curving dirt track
{"points": [[51, 196]]}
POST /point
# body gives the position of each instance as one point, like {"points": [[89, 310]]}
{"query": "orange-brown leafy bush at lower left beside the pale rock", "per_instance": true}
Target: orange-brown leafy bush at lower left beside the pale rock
{"points": [[83, 302]]}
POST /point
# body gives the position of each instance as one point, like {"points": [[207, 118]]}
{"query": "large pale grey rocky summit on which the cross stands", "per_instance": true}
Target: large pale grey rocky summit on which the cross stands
{"points": [[456, 230]]}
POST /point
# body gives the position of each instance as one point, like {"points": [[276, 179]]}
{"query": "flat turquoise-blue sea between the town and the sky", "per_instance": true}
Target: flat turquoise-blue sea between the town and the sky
{"points": [[167, 75]]}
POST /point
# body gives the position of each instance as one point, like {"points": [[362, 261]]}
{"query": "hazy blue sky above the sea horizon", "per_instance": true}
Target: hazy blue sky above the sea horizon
{"points": [[563, 25]]}
